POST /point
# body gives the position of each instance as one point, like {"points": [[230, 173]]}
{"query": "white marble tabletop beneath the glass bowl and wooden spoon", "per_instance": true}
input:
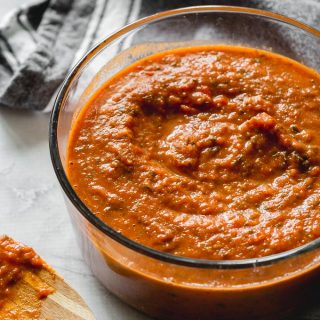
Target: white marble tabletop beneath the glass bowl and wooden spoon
{"points": [[32, 209]]}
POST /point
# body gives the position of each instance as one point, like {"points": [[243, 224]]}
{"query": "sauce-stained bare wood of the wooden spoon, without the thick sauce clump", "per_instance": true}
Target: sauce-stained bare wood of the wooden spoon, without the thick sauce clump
{"points": [[43, 295]]}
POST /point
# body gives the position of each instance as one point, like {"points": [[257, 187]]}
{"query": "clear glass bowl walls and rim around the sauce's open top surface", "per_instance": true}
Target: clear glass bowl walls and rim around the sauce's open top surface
{"points": [[157, 283]]}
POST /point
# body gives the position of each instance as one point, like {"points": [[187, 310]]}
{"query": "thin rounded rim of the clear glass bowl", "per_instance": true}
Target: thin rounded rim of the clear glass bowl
{"points": [[99, 224]]}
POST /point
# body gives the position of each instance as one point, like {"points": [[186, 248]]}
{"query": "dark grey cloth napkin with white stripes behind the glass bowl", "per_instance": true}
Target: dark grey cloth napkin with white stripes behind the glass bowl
{"points": [[39, 43]]}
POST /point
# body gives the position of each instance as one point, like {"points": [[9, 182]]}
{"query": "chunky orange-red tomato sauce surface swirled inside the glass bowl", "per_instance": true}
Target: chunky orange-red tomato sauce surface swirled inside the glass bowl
{"points": [[204, 152]]}
